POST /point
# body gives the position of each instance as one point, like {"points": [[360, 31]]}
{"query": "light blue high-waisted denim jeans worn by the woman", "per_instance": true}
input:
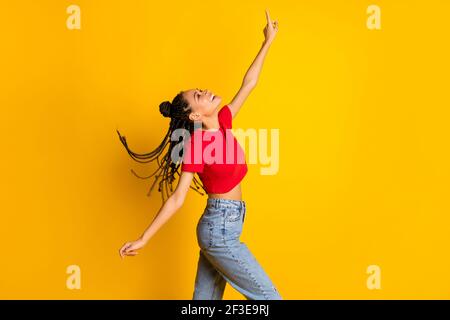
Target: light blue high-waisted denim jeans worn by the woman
{"points": [[224, 258]]}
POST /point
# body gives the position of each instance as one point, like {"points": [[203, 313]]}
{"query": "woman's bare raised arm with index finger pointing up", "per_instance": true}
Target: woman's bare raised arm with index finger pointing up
{"points": [[252, 75]]}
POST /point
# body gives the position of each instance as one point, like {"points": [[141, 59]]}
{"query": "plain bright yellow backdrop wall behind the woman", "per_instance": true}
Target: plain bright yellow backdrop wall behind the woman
{"points": [[364, 144]]}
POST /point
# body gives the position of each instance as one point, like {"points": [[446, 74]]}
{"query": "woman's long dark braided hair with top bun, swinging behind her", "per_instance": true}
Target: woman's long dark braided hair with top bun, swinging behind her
{"points": [[178, 111]]}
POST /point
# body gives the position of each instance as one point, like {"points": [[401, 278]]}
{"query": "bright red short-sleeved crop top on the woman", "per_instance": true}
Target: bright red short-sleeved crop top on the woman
{"points": [[219, 171]]}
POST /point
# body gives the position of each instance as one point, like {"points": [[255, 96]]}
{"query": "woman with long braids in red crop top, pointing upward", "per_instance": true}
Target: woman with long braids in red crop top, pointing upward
{"points": [[223, 258]]}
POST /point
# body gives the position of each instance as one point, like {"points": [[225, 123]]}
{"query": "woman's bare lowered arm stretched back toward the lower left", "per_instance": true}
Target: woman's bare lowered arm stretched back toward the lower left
{"points": [[172, 204]]}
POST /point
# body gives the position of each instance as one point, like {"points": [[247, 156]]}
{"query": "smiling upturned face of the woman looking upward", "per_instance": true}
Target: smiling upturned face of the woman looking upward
{"points": [[204, 103]]}
